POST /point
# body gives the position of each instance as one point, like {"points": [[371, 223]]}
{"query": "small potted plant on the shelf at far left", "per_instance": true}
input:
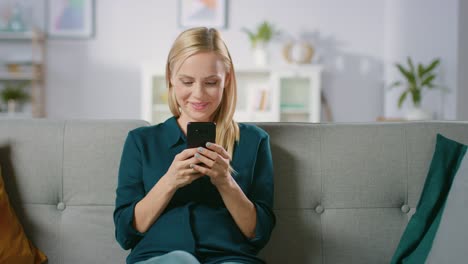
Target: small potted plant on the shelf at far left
{"points": [[13, 94]]}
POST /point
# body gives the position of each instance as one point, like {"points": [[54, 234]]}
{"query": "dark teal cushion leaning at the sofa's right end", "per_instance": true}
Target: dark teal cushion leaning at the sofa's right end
{"points": [[417, 240]]}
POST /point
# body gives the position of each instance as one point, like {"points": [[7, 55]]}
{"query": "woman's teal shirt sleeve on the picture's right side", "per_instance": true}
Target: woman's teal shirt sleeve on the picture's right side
{"points": [[261, 194]]}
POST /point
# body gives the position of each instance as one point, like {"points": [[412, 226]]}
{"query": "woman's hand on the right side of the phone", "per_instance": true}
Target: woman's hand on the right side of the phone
{"points": [[216, 162]]}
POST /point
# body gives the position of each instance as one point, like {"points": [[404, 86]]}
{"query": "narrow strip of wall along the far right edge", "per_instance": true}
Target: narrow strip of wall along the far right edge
{"points": [[462, 104]]}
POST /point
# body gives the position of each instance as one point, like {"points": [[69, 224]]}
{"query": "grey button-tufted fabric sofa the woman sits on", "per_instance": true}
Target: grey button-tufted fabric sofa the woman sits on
{"points": [[343, 192]]}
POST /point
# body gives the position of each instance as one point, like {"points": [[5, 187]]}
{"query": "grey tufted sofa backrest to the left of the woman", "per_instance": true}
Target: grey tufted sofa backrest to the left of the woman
{"points": [[62, 176]]}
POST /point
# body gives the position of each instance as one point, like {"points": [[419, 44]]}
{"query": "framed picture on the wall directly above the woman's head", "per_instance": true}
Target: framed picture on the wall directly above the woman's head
{"points": [[207, 13]]}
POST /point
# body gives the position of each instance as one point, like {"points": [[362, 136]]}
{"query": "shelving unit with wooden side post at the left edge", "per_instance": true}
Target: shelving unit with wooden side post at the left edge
{"points": [[33, 44]]}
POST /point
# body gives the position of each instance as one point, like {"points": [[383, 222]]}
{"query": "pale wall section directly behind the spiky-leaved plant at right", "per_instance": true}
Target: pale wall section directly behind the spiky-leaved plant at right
{"points": [[422, 29]]}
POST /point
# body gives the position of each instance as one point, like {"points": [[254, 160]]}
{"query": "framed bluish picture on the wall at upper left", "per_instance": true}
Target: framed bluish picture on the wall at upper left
{"points": [[70, 18]]}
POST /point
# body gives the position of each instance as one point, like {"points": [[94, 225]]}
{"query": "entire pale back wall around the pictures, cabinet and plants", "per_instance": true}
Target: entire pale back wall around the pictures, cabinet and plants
{"points": [[357, 41]]}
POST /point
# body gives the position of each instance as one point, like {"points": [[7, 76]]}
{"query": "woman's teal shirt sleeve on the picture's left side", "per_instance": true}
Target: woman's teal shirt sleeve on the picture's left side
{"points": [[130, 190]]}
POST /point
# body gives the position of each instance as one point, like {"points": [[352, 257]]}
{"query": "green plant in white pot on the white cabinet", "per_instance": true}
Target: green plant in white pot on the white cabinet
{"points": [[259, 40]]}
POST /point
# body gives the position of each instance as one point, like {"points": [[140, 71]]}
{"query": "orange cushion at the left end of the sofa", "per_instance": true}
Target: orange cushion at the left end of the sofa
{"points": [[15, 247]]}
